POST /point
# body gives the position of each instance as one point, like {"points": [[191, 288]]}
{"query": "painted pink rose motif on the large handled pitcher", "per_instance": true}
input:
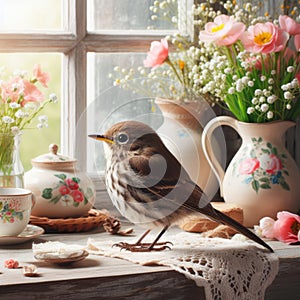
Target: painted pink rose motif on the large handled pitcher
{"points": [[264, 168]]}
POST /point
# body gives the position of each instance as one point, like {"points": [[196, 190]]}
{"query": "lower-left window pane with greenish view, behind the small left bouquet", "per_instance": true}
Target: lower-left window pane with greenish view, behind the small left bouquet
{"points": [[35, 141]]}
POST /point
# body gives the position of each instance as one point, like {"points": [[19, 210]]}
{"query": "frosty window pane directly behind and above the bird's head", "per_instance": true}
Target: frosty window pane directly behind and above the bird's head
{"points": [[109, 104]]}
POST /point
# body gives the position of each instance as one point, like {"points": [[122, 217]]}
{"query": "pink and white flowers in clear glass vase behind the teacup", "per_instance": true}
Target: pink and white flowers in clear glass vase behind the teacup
{"points": [[21, 101]]}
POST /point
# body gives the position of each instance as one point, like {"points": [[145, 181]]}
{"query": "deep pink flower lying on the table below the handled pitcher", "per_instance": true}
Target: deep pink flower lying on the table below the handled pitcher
{"points": [[286, 227]]}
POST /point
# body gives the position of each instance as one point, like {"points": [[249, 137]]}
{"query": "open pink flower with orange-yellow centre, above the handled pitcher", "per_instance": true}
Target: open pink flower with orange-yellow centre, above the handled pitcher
{"points": [[264, 38]]}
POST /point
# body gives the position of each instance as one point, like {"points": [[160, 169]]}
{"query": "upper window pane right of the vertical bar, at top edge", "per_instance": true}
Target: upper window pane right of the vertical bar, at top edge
{"points": [[129, 14]]}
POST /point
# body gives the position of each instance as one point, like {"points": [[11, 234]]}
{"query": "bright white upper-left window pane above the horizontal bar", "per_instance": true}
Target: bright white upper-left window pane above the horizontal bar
{"points": [[30, 15]]}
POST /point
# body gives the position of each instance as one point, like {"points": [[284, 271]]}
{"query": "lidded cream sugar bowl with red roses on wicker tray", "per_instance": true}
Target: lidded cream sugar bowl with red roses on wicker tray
{"points": [[60, 190]]}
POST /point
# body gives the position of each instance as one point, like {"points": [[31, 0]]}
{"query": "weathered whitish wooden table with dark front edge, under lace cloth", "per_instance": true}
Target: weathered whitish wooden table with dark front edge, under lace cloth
{"points": [[99, 277]]}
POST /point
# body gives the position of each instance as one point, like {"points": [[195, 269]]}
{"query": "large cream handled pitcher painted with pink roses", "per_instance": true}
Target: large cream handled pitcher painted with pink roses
{"points": [[262, 177]]}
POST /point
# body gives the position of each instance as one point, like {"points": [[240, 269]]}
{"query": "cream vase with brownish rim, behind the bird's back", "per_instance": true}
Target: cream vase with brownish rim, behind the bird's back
{"points": [[181, 133]]}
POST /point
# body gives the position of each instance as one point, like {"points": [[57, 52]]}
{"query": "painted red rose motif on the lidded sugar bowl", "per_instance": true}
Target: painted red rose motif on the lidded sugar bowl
{"points": [[68, 192]]}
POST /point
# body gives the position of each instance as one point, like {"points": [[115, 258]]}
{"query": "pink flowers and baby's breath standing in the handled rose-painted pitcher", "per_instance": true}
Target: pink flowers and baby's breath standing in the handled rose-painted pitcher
{"points": [[255, 70]]}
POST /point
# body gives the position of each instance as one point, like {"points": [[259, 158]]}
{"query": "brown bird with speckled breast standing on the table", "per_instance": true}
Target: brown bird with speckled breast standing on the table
{"points": [[150, 187]]}
